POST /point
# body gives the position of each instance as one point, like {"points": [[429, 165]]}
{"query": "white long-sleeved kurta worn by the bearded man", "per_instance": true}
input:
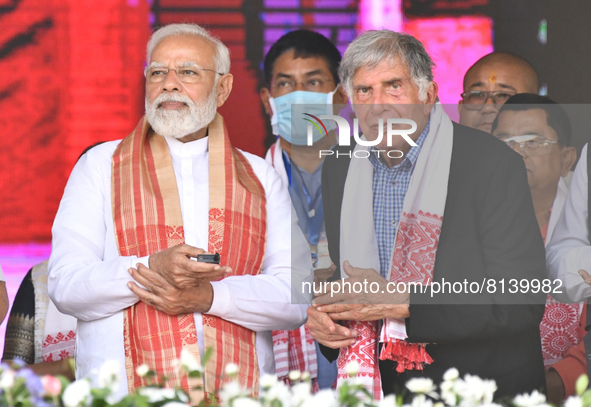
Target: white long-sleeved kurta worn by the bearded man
{"points": [[87, 277]]}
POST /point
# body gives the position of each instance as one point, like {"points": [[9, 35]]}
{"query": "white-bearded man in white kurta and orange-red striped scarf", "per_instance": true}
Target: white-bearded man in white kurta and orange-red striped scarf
{"points": [[138, 214]]}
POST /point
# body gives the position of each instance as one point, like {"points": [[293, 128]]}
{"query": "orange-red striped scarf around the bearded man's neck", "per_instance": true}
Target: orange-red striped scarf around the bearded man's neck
{"points": [[148, 219]]}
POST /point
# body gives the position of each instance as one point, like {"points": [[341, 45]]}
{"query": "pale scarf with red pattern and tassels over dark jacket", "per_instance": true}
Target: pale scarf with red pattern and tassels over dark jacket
{"points": [[414, 252]]}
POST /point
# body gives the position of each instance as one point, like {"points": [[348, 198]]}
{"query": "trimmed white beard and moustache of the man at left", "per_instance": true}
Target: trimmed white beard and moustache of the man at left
{"points": [[179, 123]]}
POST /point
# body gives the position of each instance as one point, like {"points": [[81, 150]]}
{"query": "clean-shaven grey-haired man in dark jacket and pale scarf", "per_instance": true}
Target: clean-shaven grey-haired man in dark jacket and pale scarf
{"points": [[452, 206]]}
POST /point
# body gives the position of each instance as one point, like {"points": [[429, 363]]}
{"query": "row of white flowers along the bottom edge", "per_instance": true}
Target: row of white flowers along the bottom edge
{"points": [[20, 387]]}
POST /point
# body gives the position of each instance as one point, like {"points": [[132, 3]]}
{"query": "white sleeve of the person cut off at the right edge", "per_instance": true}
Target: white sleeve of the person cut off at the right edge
{"points": [[569, 249]]}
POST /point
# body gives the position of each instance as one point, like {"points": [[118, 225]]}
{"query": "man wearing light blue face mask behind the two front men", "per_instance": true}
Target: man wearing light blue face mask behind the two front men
{"points": [[301, 68]]}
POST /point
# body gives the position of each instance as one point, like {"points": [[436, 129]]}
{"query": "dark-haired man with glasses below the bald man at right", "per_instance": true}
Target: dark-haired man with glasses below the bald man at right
{"points": [[540, 131]]}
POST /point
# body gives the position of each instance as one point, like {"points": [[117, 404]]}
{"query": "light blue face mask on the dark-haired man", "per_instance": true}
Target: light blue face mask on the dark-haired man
{"points": [[295, 130]]}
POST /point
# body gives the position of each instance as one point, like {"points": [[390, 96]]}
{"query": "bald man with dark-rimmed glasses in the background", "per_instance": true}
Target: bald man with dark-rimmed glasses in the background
{"points": [[488, 84]]}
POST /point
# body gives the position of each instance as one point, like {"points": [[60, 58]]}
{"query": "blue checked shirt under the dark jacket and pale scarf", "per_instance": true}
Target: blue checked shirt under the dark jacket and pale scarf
{"points": [[389, 189]]}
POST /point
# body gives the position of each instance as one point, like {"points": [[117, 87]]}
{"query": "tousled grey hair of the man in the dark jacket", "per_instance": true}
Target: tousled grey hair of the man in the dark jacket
{"points": [[375, 46]]}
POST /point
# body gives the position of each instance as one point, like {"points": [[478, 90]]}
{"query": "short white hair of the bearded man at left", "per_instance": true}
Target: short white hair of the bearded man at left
{"points": [[222, 63]]}
